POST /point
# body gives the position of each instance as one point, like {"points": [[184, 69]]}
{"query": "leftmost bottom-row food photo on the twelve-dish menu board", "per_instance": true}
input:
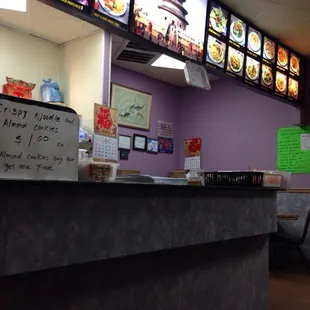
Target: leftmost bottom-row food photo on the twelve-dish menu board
{"points": [[216, 51]]}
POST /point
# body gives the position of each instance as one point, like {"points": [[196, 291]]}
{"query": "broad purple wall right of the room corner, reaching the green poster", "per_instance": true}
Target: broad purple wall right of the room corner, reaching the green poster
{"points": [[238, 127]]}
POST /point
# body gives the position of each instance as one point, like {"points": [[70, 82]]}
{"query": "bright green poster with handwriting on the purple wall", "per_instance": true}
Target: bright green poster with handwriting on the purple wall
{"points": [[293, 147]]}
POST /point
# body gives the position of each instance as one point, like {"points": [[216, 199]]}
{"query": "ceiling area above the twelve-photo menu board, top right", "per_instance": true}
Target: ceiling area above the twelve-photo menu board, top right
{"points": [[286, 20]]}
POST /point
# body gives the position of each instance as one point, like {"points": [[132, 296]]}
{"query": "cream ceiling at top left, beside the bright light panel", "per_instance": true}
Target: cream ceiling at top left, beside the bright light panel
{"points": [[46, 22]]}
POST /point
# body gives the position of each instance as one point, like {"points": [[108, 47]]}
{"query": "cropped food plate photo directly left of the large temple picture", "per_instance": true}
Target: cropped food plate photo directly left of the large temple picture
{"points": [[117, 10]]}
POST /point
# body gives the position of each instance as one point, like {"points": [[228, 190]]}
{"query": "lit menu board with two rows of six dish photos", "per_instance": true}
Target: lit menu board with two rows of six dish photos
{"points": [[246, 53]]}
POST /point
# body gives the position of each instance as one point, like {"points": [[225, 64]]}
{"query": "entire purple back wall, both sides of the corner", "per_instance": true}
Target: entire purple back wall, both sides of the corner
{"points": [[238, 127]]}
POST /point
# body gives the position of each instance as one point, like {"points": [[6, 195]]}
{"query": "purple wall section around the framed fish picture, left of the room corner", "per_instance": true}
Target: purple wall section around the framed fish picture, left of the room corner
{"points": [[165, 107]]}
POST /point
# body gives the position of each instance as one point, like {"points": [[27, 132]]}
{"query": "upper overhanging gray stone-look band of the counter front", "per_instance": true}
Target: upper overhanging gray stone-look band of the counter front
{"points": [[52, 224]]}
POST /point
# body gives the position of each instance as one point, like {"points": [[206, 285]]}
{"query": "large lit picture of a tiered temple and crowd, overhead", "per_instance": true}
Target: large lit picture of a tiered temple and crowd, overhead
{"points": [[176, 25]]}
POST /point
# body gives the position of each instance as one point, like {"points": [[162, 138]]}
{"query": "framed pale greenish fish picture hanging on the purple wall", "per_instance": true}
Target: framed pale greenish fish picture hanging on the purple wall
{"points": [[134, 107]]}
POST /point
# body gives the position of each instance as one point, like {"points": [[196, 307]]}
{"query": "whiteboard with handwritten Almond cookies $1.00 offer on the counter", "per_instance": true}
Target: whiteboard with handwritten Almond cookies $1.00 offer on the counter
{"points": [[37, 143]]}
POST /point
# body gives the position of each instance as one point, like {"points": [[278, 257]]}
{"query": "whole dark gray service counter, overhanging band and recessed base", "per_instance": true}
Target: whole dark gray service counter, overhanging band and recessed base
{"points": [[132, 246]]}
